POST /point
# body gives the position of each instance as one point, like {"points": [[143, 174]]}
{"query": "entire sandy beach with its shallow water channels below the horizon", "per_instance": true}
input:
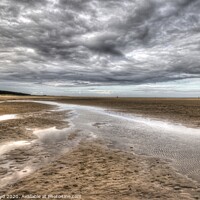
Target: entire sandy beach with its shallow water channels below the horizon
{"points": [[96, 157]]}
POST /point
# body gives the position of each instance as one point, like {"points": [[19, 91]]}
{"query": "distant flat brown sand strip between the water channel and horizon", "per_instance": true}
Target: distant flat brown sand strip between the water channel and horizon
{"points": [[176, 110]]}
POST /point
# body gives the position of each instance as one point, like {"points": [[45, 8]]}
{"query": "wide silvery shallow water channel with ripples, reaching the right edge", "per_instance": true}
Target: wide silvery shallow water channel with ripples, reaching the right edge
{"points": [[173, 142]]}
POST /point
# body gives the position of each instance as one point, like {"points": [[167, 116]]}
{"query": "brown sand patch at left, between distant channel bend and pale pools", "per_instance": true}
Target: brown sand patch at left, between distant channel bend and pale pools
{"points": [[29, 116]]}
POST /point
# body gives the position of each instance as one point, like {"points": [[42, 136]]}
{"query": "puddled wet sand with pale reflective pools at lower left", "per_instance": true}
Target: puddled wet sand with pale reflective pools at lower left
{"points": [[21, 158]]}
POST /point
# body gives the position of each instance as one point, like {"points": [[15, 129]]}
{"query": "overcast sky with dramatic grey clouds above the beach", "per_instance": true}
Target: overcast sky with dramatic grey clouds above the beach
{"points": [[146, 48]]}
